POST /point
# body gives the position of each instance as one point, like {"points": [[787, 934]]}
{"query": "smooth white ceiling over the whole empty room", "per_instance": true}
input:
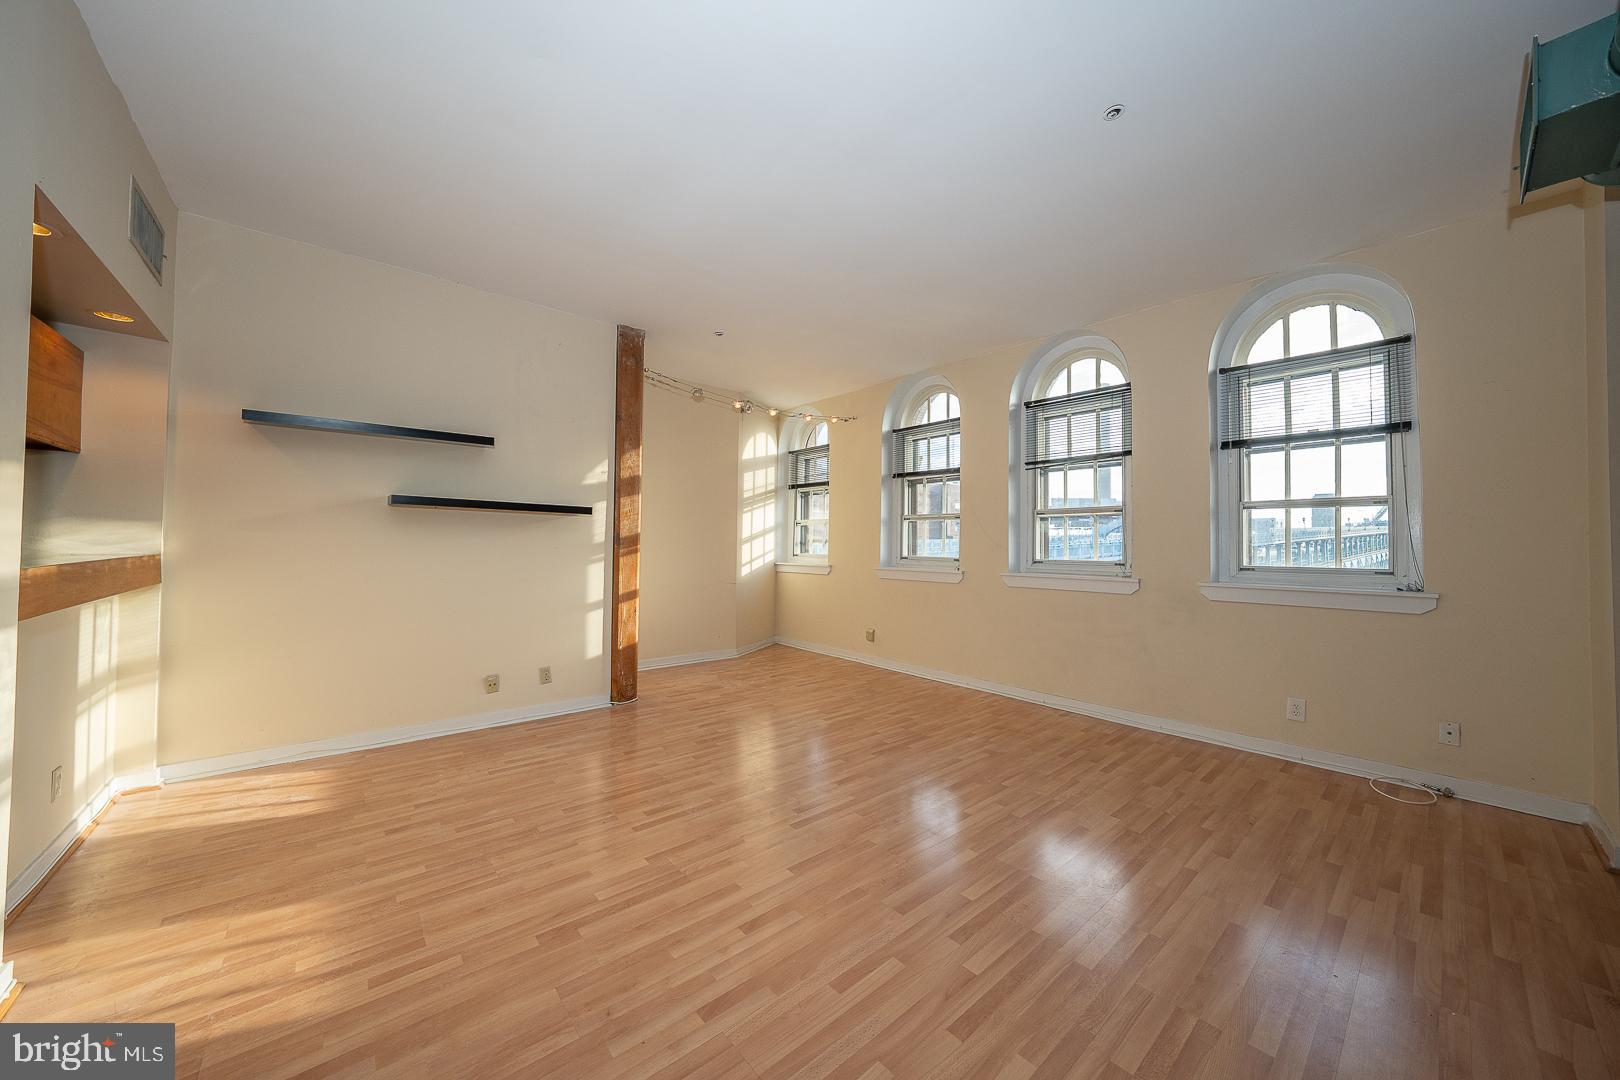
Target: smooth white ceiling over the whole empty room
{"points": [[851, 190]]}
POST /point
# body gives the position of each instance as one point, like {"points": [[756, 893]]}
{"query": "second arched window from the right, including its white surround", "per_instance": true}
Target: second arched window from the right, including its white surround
{"points": [[1070, 466]]}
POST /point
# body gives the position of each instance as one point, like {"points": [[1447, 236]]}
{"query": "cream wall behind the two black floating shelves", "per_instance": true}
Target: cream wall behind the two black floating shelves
{"points": [[299, 606]]}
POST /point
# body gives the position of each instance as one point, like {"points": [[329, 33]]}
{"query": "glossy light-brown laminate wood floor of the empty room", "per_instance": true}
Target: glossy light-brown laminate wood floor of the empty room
{"points": [[793, 865]]}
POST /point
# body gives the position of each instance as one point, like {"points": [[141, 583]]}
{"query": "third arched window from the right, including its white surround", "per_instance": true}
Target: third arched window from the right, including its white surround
{"points": [[923, 498]]}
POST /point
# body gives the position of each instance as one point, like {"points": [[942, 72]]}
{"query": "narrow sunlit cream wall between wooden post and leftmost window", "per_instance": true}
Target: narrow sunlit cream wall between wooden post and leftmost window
{"points": [[709, 522]]}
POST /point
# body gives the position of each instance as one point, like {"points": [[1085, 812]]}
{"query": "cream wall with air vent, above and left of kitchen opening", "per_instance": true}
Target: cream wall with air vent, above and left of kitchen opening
{"points": [[66, 129]]}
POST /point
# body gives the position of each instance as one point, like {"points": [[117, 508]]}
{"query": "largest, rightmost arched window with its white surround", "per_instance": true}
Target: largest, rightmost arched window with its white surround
{"points": [[1316, 436]]}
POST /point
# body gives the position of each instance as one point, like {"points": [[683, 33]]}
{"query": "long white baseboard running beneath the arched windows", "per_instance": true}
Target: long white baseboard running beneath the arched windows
{"points": [[1473, 791]]}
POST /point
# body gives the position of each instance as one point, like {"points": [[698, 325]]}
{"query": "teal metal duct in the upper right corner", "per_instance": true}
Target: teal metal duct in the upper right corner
{"points": [[1572, 109]]}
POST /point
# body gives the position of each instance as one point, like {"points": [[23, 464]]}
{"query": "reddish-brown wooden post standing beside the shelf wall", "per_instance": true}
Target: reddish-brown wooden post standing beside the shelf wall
{"points": [[628, 514]]}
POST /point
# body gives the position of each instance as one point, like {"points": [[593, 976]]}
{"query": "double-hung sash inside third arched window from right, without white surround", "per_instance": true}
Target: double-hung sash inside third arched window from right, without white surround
{"points": [[927, 462]]}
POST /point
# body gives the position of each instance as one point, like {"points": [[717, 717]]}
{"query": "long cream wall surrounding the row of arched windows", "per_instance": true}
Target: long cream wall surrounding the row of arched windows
{"points": [[1501, 336]]}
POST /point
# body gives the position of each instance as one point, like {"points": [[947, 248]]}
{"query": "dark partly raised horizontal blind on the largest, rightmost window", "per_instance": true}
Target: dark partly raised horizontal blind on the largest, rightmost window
{"points": [[1360, 391]]}
